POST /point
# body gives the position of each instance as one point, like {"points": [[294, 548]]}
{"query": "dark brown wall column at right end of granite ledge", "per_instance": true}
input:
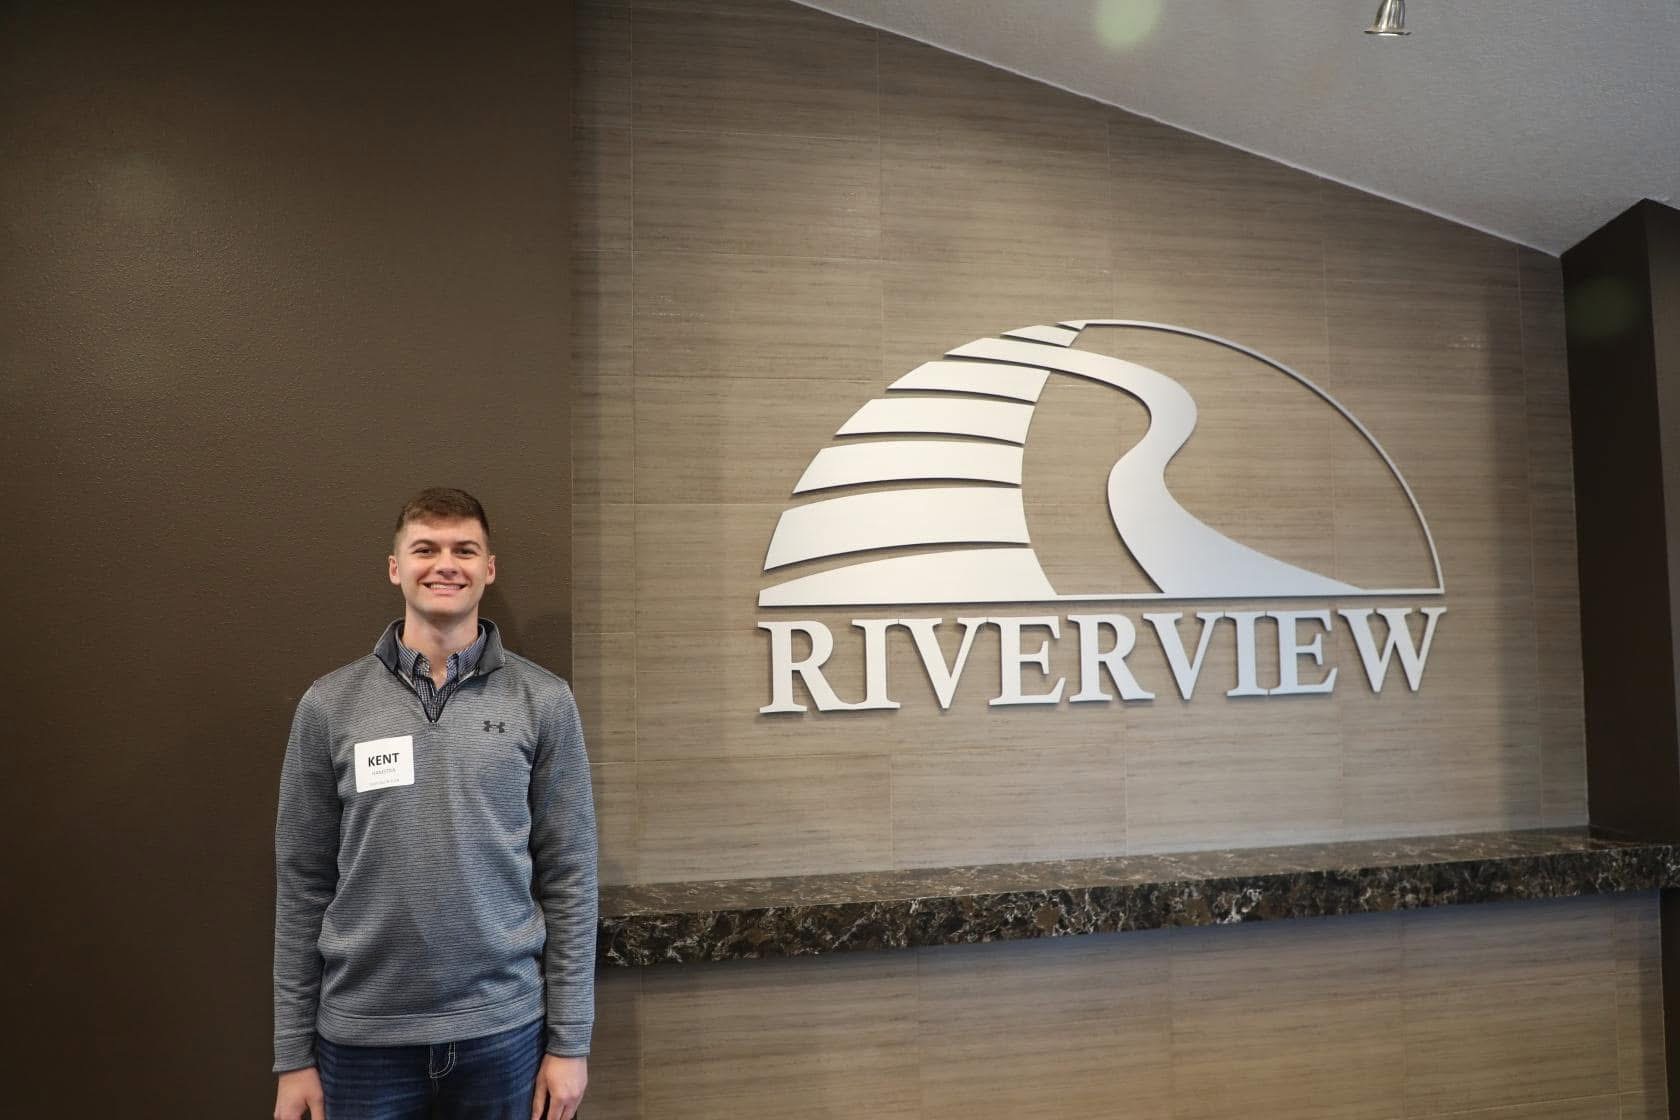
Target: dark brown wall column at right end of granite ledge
{"points": [[1624, 310]]}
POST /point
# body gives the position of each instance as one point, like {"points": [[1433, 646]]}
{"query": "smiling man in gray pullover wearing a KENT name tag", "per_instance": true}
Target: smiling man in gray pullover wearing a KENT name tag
{"points": [[434, 936]]}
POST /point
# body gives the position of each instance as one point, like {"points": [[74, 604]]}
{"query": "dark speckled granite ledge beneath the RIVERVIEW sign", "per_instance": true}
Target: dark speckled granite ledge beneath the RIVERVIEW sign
{"points": [[806, 916]]}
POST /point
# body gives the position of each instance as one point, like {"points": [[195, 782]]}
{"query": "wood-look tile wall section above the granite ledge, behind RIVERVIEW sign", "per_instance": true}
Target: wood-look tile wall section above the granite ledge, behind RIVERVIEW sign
{"points": [[780, 212]]}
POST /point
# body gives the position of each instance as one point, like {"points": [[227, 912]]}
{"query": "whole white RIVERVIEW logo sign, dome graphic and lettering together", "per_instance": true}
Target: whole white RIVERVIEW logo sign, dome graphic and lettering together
{"points": [[963, 424]]}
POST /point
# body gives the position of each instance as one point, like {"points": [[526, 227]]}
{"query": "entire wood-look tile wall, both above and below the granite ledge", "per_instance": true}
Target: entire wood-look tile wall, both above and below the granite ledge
{"points": [[779, 214]]}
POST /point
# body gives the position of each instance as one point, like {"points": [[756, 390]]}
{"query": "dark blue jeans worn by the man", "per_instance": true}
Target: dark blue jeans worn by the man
{"points": [[480, 1079]]}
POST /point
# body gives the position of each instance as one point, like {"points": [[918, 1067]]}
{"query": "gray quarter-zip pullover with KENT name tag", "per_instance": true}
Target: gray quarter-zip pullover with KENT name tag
{"points": [[436, 877]]}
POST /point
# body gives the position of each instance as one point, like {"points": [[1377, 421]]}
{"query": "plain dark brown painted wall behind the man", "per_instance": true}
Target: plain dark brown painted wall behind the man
{"points": [[266, 271]]}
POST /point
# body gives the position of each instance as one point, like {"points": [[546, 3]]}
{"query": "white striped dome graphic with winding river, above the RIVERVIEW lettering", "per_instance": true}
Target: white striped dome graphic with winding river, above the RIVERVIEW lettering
{"points": [[965, 421]]}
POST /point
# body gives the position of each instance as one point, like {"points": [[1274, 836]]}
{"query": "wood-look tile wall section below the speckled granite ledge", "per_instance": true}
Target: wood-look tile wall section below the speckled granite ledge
{"points": [[1513, 1012]]}
